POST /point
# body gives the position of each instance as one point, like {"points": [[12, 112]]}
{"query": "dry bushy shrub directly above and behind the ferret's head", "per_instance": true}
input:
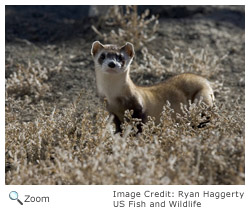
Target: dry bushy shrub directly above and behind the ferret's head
{"points": [[137, 29]]}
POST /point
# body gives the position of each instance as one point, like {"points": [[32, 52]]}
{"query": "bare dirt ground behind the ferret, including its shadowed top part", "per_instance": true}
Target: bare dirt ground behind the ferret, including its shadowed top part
{"points": [[60, 38]]}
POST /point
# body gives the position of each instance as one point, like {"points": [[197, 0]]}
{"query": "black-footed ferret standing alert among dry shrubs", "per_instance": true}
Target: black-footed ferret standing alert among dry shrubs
{"points": [[112, 67]]}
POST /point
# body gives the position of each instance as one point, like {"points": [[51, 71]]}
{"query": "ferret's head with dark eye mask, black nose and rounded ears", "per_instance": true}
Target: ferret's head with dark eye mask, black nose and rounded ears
{"points": [[112, 59]]}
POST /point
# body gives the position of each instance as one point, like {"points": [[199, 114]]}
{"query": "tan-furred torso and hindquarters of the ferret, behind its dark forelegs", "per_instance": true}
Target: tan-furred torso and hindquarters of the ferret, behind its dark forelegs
{"points": [[178, 89]]}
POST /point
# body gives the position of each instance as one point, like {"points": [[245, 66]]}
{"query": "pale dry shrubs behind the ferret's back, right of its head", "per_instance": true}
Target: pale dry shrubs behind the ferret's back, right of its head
{"points": [[201, 62]]}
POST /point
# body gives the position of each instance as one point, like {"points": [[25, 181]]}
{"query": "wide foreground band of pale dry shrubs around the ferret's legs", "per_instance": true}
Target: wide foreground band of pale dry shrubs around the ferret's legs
{"points": [[64, 148]]}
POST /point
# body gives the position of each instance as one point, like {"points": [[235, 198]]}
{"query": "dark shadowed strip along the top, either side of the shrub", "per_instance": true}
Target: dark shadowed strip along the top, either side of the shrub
{"points": [[55, 23]]}
